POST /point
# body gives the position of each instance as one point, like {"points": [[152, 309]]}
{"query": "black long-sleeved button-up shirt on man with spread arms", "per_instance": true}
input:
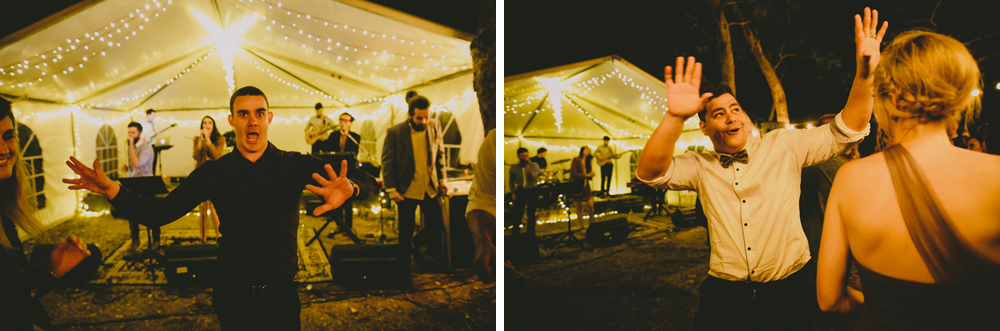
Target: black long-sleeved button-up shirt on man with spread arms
{"points": [[258, 207]]}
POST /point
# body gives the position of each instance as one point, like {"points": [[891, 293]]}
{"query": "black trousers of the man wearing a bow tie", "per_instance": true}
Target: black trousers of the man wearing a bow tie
{"points": [[779, 305]]}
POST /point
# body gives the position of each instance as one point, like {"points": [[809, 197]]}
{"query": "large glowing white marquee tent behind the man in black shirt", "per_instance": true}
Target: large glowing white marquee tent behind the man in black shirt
{"points": [[80, 76]]}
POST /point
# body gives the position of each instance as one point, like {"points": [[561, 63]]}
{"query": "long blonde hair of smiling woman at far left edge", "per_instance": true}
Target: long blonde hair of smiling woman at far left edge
{"points": [[15, 190]]}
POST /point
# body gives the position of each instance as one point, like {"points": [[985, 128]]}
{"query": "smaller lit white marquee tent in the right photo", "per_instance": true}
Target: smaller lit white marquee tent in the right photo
{"points": [[567, 107]]}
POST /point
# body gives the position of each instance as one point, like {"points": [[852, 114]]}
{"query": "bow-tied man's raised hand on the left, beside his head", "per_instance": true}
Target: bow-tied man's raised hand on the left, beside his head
{"points": [[682, 88]]}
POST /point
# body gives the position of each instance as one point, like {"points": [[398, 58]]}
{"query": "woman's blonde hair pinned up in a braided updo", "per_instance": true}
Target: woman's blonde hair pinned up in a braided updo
{"points": [[934, 78]]}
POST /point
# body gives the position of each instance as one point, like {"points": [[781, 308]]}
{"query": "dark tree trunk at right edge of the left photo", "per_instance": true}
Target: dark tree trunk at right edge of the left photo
{"points": [[484, 73]]}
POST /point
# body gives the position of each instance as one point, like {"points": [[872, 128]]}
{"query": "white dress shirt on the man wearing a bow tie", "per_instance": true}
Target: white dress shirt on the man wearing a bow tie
{"points": [[753, 208]]}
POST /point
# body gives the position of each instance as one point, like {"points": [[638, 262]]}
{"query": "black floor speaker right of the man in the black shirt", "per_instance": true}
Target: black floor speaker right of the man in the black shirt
{"points": [[368, 263]]}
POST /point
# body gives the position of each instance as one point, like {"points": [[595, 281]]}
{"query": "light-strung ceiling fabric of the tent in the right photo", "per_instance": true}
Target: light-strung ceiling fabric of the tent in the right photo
{"points": [[600, 97]]}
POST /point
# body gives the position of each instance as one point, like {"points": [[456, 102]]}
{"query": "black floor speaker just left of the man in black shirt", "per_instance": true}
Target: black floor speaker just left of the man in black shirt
{"points": [[191, 264]]}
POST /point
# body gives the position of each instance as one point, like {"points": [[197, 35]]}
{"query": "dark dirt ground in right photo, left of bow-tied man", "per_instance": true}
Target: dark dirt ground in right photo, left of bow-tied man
{"points": [[648, 282]]}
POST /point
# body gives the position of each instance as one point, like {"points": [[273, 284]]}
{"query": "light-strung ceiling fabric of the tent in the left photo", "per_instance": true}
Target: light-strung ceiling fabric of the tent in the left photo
{"points": [[298, 51]]}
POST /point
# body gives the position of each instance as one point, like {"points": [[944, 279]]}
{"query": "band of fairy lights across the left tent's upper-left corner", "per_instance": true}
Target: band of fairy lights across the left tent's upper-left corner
{"points": [[37, 68]]}
